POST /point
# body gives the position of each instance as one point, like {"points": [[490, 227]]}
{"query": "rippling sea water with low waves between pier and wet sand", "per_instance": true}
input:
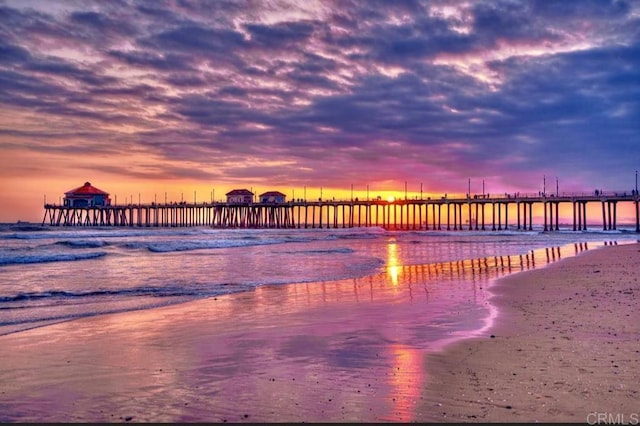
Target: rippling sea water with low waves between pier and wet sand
{"points": [[54, 274]]}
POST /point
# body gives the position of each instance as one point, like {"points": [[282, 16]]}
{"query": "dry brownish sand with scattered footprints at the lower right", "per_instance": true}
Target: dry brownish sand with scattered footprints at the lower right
{"points": [[564, 348]]}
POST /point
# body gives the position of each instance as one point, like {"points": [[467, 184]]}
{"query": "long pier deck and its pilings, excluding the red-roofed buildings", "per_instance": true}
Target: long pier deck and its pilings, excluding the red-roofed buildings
{"points": [[450, 214]]}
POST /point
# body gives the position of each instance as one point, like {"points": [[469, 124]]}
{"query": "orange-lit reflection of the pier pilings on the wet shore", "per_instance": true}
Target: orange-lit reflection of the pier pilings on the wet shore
{"points": [[425, 278]]}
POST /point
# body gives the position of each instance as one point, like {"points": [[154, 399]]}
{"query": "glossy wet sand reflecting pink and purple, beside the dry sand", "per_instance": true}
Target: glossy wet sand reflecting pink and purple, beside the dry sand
{"points": [[349, 350]]}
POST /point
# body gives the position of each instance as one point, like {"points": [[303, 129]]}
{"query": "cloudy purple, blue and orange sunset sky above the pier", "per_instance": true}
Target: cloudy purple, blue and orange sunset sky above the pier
{"points": [[186, 100]]}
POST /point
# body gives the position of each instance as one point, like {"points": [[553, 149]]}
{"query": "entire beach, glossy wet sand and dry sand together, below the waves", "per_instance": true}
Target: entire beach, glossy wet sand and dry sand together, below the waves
{"points": [[561, 343]]}
